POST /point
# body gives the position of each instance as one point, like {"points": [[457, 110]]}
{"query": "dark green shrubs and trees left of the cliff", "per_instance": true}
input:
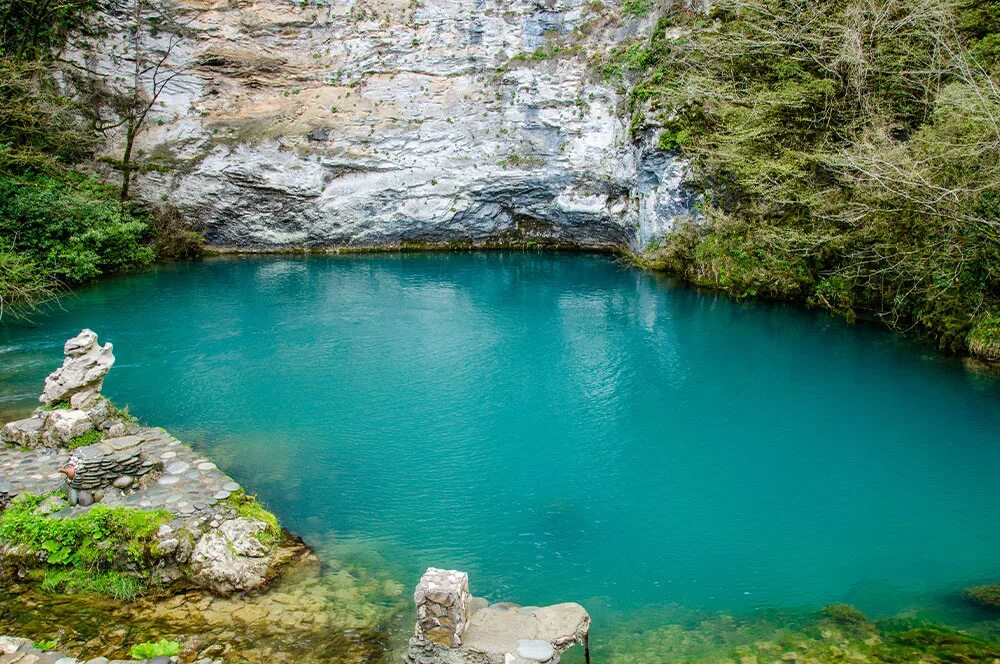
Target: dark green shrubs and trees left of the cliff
{"points": [[59, 227]]}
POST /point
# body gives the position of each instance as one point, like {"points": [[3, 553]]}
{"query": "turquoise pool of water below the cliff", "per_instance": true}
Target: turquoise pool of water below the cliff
{"points": [[560, 426]]}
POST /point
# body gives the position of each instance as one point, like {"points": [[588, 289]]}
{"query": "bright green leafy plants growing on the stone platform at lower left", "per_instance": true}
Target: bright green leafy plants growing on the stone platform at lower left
{"points": [[86, 552]]}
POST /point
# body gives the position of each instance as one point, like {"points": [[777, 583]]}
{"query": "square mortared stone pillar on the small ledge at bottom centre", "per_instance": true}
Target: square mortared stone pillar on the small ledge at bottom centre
{"points": [[444, 606]]}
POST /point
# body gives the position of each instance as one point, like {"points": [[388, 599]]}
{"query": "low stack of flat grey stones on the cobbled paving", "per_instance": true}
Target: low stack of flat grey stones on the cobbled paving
{"points": [[106, 463]]}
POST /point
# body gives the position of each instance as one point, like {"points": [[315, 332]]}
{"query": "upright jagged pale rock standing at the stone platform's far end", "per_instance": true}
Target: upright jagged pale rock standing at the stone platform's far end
{"points": [[81, 376]]}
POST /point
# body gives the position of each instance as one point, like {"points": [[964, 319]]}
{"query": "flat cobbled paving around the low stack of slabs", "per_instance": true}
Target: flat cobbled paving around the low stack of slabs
{"points": [[188, 483]]}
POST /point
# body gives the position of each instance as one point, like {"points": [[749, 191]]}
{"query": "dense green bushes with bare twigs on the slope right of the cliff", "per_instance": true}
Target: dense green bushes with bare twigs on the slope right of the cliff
{"points": [[845, 153]]}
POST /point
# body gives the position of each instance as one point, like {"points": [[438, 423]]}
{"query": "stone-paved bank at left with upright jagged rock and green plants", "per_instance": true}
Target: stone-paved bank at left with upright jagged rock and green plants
{"points": [[79, 460]]}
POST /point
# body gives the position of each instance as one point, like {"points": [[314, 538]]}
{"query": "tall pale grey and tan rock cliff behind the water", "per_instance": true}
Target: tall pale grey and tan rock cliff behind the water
{"points": [[379, 122]]}
